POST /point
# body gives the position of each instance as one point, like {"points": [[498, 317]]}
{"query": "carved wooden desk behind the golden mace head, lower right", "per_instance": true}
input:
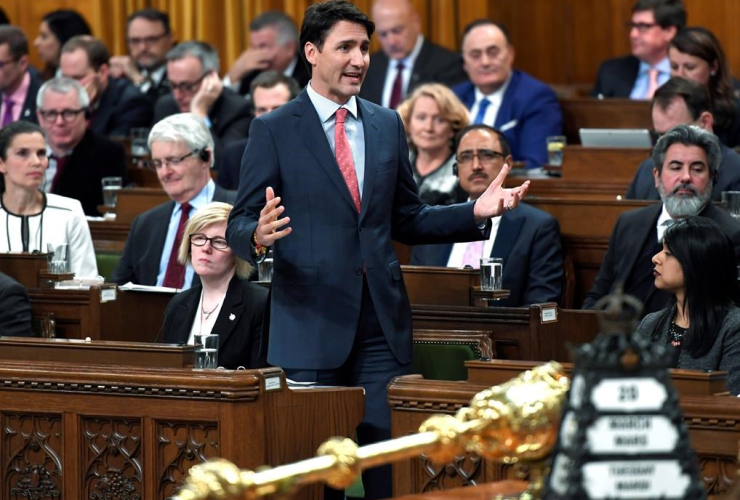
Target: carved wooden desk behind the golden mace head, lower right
{"points": [[712, 421]]}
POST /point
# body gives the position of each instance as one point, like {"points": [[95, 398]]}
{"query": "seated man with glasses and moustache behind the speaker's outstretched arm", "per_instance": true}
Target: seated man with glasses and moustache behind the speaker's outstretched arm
{"points": [[527, 239]]}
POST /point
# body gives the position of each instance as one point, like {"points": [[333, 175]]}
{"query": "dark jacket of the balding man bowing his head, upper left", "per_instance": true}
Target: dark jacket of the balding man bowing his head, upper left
{"points": [[121, 107]]}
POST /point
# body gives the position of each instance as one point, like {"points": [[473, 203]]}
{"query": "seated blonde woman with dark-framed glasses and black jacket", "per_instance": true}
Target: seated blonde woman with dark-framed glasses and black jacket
{"points": [[224, 302]]}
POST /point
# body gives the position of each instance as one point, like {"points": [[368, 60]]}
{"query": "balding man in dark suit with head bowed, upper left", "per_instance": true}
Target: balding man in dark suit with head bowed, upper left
{"points": [[116, 105]]}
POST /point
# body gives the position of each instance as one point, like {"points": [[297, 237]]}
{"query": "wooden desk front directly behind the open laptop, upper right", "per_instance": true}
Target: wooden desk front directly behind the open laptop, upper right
{"points": [[581, 113]]}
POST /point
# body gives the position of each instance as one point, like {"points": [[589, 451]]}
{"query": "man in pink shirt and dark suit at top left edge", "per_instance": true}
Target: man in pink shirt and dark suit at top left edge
{"points": [[19, 83]]}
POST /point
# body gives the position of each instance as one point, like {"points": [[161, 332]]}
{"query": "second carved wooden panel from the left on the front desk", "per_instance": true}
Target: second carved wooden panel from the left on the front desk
{"points": [[112, 459]]}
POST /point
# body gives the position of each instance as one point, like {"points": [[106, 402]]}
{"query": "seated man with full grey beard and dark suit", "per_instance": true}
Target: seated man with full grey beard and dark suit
{"points": [[686, 159]]}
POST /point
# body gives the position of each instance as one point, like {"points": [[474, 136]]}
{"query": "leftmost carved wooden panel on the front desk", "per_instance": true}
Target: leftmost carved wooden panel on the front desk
{"points": [[32, 456]]}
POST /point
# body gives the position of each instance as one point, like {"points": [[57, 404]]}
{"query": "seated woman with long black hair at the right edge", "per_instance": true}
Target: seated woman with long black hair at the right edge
{"points": [[702, 322]]}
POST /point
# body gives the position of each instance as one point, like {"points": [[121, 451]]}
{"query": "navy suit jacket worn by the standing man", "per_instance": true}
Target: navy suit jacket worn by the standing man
{"points": [[319, 268]]}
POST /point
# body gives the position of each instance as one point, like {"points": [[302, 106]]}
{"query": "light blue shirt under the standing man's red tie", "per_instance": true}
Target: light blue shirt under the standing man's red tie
{"points": [[326, 110]]}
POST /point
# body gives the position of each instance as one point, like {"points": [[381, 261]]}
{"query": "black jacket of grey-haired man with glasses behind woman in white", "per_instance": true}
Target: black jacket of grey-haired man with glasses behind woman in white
{"points": [[92, 159]]}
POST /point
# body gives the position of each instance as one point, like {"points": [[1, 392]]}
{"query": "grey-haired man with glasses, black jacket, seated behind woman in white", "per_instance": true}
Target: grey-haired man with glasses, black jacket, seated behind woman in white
{"points": [[79, 157]]}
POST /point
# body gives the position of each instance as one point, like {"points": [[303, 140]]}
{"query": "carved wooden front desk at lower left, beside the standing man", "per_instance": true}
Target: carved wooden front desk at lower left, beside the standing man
{"points": [[74, 430]]}
